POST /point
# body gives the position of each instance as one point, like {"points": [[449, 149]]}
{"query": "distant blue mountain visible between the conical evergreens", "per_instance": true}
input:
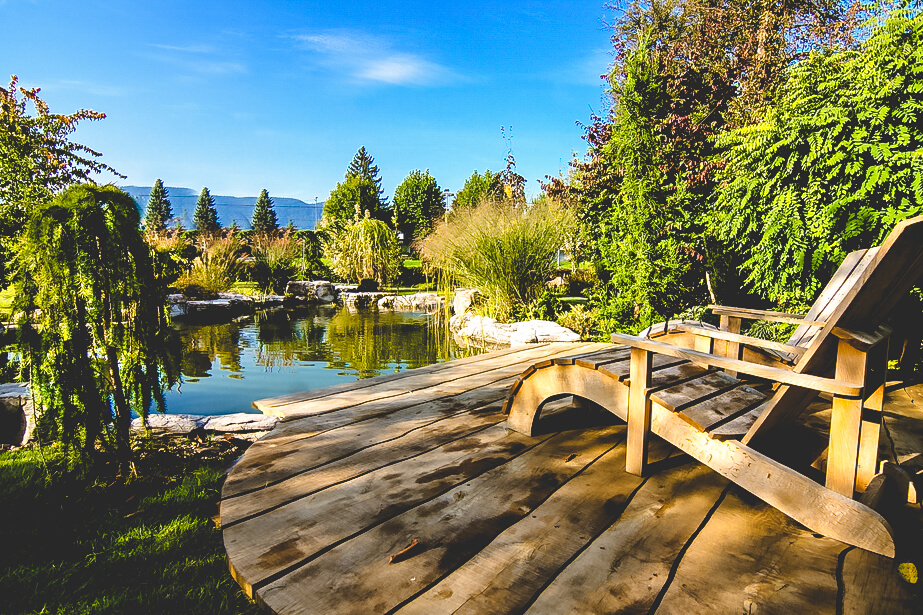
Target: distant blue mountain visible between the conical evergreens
{"points": [[237, 209]]}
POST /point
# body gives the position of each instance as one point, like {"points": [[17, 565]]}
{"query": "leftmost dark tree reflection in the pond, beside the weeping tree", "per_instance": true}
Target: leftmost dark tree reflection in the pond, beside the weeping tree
{"points": [[201, 344]]}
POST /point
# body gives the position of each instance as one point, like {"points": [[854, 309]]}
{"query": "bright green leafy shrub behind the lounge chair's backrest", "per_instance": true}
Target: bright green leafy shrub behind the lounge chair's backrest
{"points": [[834, 166]]}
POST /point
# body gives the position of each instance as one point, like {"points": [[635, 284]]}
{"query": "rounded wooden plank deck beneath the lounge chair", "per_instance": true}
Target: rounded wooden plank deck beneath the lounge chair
{"points": [[506, 523]]}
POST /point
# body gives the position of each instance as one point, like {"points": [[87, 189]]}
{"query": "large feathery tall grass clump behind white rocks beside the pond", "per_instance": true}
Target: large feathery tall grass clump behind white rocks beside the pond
{"points": [[504, 250]]}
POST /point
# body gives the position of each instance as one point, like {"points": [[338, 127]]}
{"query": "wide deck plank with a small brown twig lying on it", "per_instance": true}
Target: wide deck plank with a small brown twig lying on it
{"points": [[451, 528]]}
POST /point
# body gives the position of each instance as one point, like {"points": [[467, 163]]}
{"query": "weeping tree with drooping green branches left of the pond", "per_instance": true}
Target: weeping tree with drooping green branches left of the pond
{"points": [[92, 320]]}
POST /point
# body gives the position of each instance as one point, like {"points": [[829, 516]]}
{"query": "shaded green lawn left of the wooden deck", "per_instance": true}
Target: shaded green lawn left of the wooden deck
{"points": [[80, 543]]}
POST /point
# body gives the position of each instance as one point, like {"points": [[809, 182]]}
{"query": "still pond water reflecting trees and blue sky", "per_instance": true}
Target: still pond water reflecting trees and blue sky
{"points": [[226, 366]]}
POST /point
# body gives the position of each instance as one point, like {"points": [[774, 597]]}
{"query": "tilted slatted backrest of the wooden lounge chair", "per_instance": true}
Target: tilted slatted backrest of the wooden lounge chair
{"points": [[889, 275]]}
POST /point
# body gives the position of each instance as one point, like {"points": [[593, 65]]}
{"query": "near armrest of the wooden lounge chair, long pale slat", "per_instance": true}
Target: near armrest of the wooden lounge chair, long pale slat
{"points": [[806, 381]]}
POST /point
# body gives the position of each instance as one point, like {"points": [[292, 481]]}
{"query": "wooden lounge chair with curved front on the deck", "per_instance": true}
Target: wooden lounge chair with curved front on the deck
{"points": [[691, 398]]}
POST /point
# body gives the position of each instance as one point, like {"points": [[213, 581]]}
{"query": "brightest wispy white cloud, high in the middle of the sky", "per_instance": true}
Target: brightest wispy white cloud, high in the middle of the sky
{"points": [[363, 57]]}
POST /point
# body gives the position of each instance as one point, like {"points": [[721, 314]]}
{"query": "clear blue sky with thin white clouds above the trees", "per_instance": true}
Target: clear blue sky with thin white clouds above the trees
{"points": [[239, 96]]}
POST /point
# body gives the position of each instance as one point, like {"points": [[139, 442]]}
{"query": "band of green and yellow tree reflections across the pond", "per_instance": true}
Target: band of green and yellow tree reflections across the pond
{"points": [[365, 342]]}
